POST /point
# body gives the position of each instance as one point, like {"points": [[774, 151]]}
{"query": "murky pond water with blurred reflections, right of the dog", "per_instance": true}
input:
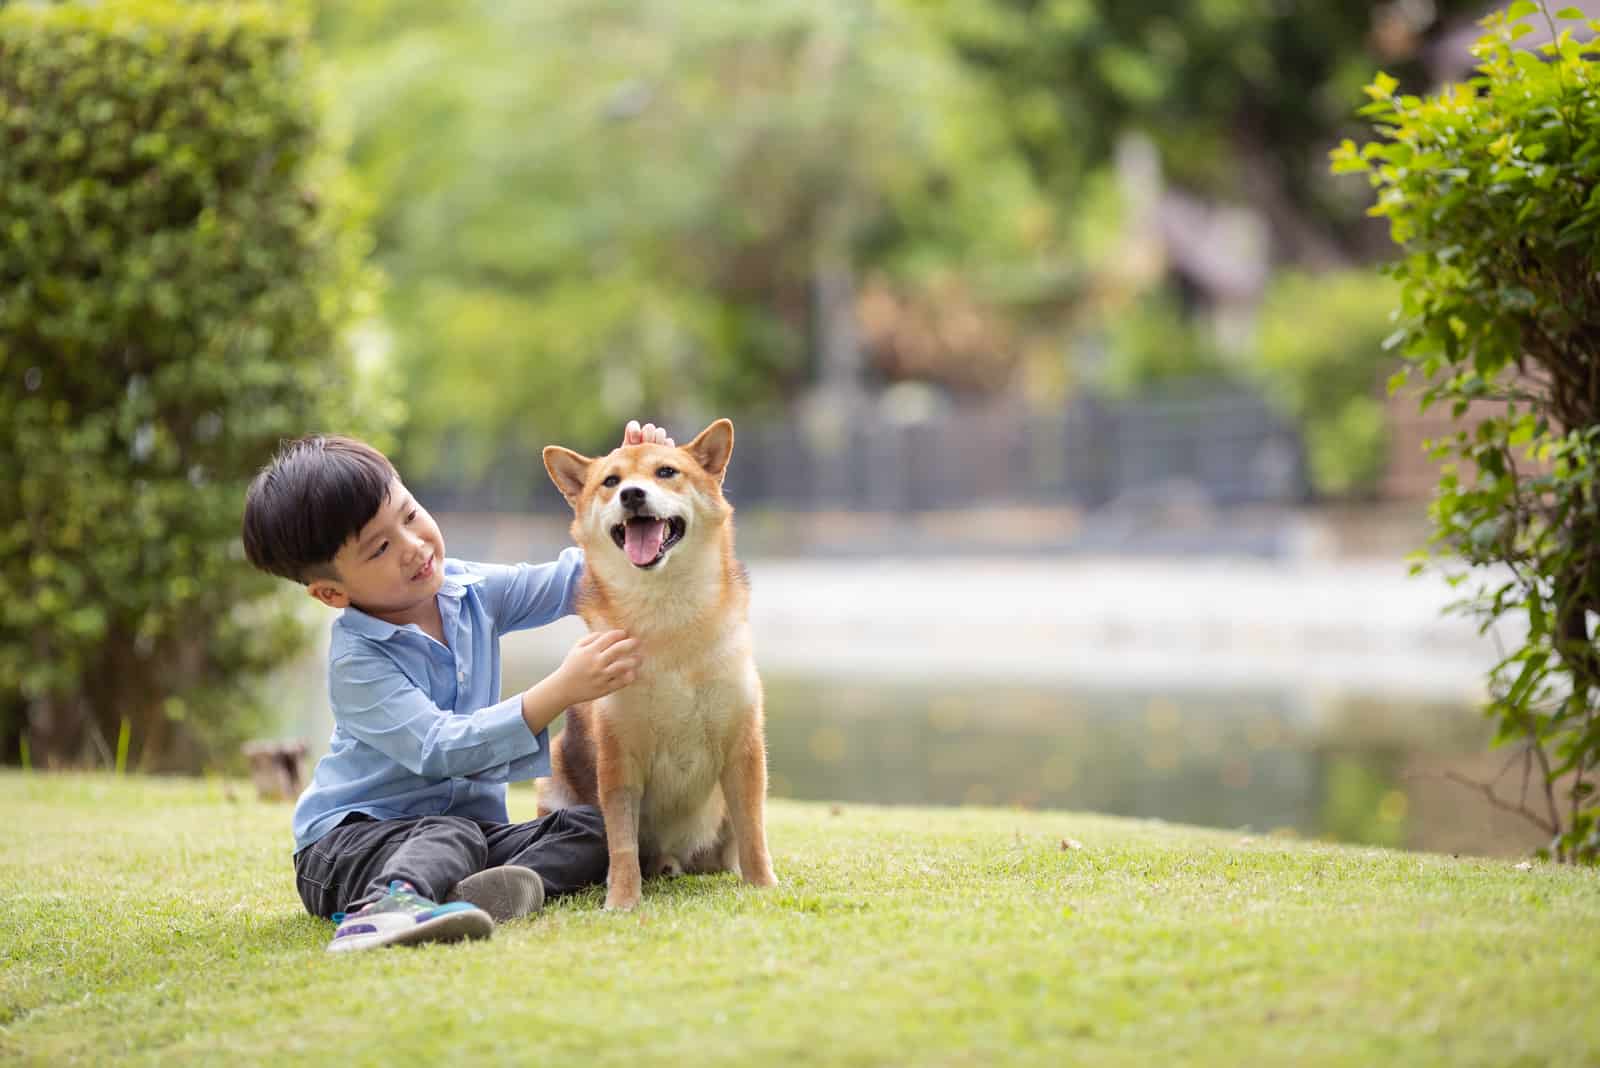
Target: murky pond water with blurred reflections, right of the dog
{"points": [[1364, 771]]}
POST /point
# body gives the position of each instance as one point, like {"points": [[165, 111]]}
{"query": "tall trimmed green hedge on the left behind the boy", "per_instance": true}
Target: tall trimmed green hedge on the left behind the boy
{"points": [[177, 269]]}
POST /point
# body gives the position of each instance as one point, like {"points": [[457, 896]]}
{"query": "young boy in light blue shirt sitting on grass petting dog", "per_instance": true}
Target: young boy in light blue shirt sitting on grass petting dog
{"points": [[402, 835]]}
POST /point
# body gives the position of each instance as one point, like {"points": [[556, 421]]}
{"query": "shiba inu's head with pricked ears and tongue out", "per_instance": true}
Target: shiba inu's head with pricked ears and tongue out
{"points": [[646, 501]]}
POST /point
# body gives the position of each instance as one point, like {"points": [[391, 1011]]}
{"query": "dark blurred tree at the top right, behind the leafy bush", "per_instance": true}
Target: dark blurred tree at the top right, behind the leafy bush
{"points": [[1242, 98]]}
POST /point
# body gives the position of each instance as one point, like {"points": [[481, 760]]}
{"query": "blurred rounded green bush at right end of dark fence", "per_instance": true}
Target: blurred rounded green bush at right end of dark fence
{"points": [[1322, 361]]}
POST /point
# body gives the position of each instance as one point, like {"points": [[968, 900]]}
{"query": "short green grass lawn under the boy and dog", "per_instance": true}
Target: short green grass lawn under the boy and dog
{"points": [[156, 922]]}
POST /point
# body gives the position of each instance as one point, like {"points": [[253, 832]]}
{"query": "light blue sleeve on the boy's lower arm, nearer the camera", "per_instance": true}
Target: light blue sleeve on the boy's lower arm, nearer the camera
{"points": [[380, 706]]}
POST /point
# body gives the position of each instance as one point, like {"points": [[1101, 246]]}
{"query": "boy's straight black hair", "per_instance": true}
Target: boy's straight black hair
{"points": [[314, 496]]}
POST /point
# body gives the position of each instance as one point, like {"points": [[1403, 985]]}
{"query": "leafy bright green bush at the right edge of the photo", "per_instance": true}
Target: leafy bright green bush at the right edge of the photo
{"points": [[1494, 191]]}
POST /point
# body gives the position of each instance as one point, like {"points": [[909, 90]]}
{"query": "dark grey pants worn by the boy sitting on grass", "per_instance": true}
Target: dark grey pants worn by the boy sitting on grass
{"points": [[353, 864]]}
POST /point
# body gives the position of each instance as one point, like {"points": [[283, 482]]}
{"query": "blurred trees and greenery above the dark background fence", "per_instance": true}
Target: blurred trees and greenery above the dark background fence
{"points": [[590, 210]]}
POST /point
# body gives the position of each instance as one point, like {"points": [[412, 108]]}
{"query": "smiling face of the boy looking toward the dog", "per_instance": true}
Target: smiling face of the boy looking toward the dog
{"points": [[393, 567]]}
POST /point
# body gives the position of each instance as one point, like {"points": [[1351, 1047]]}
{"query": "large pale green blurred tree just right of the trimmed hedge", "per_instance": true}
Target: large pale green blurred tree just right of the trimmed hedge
{"points": [[593, 210]]}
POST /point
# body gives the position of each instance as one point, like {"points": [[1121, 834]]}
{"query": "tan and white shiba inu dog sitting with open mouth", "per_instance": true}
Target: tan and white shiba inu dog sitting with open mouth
{"points": [[678, 760]]}
